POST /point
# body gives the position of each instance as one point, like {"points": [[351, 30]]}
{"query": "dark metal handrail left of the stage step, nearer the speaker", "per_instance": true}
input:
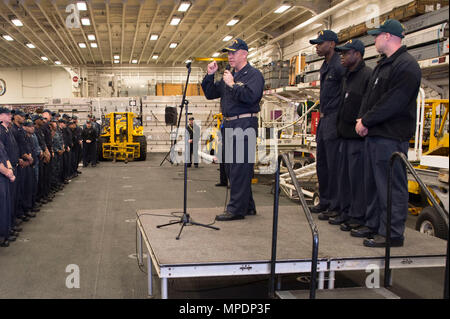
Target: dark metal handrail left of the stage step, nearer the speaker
{"points": [[312, 225]]}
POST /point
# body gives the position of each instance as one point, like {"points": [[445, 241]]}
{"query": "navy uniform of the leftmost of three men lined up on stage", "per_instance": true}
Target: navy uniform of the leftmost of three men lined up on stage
{"points": [[328, 142]]}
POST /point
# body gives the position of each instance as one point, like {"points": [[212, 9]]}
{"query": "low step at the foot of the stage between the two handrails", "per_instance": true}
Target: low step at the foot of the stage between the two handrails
{"points": [[340, 293]]}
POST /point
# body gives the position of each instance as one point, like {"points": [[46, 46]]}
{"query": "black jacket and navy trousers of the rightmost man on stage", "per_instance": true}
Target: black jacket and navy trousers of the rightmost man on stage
{"points": [[389, 113]]}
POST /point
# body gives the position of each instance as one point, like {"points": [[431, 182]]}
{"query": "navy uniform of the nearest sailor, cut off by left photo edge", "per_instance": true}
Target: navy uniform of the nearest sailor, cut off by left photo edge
{"points": [[5, 197]]}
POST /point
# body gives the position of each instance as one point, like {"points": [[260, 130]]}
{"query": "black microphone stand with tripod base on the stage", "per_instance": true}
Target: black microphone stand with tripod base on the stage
{"points": [[186, 218]]}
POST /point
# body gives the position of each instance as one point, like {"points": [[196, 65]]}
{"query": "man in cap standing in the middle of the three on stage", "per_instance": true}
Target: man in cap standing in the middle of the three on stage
{"points": [[351, 169]]}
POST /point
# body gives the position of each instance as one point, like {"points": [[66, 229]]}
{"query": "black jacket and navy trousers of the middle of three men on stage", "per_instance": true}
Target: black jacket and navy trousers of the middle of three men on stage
{"points": [[351, 172]]}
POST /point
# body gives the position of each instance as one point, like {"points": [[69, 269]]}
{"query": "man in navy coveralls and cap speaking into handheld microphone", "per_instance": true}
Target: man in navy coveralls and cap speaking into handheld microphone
{"points": [[240, 89]]}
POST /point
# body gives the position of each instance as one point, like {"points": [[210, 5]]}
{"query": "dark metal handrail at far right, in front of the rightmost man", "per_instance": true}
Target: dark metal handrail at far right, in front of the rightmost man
{"points": [[444, 215]]}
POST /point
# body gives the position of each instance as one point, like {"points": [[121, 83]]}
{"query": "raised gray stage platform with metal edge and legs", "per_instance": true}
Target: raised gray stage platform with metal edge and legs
{"points": [[243, 247]]}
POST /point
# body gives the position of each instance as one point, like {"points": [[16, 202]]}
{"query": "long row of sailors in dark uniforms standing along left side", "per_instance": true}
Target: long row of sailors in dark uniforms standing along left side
{"points": [[40, 154]]}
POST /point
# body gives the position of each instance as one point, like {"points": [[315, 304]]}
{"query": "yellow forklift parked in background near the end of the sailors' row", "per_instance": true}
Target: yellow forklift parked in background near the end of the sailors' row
{"points": [[122, 138]]}
